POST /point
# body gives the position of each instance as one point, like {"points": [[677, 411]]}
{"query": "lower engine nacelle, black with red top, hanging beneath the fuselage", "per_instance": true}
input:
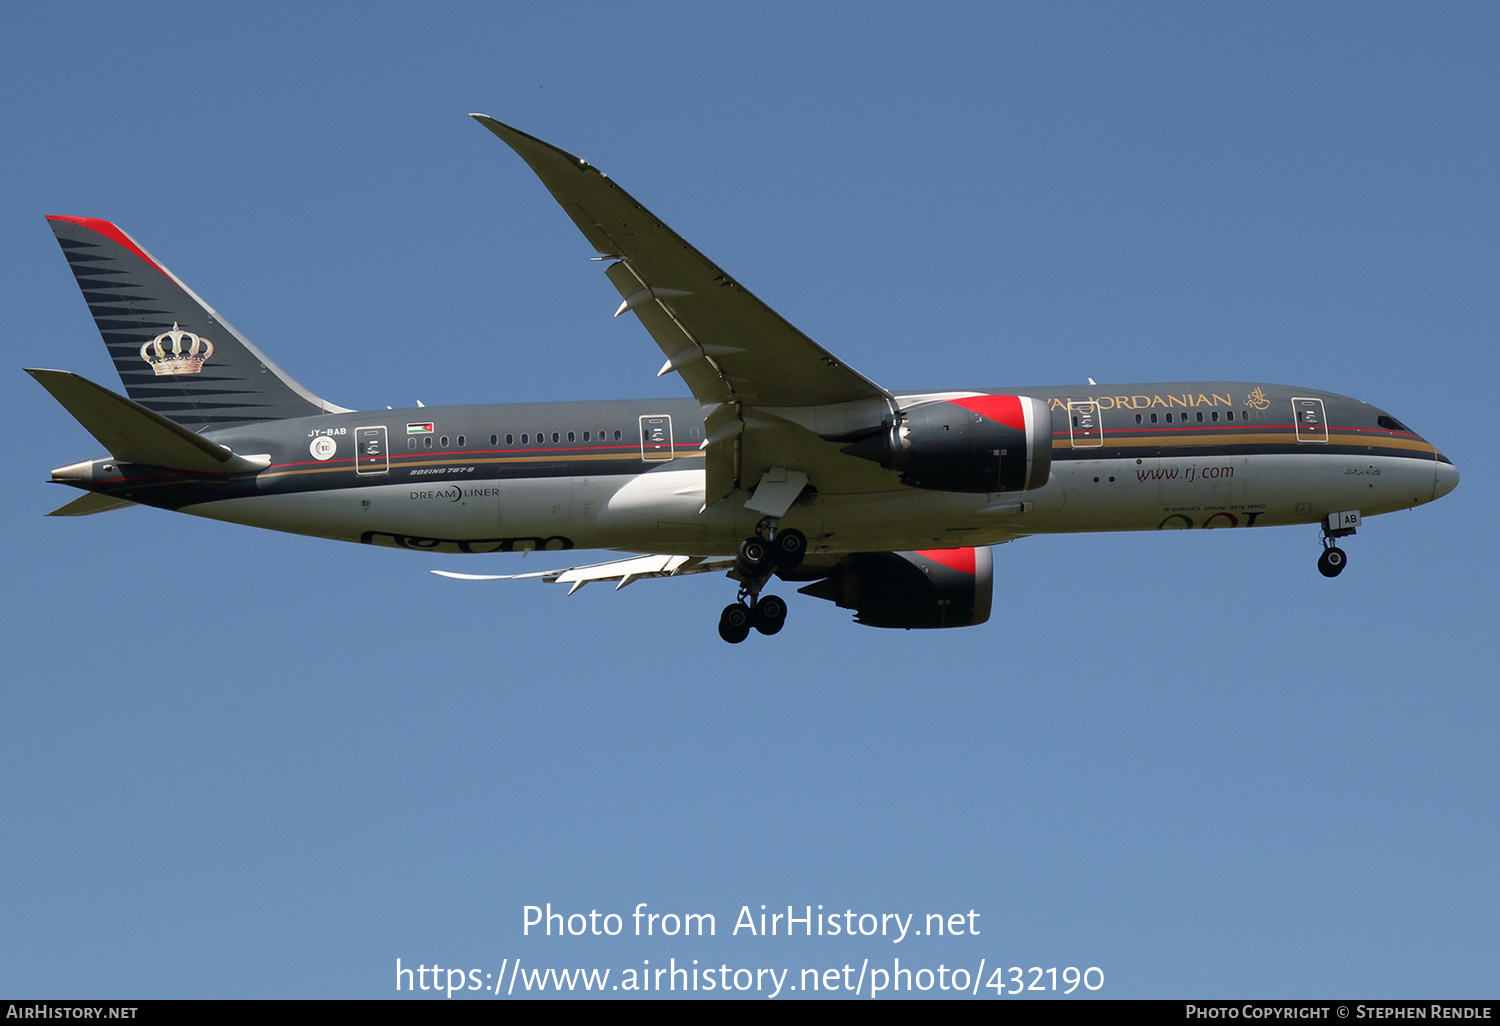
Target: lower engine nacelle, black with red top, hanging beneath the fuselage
{"points": [[913, 590]]}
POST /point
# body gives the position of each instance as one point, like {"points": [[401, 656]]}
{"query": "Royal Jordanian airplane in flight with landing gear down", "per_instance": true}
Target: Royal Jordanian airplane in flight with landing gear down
{"points": [[785, 463]]}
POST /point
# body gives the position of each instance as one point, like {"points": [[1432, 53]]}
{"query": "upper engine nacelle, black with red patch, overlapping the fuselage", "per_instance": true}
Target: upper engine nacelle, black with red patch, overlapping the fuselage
{"points": [[974, 445]]}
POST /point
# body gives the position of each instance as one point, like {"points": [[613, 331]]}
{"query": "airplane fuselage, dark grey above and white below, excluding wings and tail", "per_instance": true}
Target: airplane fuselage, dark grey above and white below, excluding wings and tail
{"points": [[629, 475]]}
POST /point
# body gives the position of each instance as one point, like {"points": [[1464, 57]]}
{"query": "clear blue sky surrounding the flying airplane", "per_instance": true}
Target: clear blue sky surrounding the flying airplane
{"points": [[245, 764]]}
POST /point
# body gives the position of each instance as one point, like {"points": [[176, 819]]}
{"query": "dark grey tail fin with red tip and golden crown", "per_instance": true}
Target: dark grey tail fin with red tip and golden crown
{"points": [[175, 355]]}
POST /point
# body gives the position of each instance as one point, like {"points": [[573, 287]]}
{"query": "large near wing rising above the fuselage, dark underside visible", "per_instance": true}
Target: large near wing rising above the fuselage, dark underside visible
{"points": [[766, 388]]}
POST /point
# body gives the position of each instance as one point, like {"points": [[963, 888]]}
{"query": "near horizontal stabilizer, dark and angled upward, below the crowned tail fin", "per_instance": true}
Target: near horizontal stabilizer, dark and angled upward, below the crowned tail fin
{"points": [[134, 434]]}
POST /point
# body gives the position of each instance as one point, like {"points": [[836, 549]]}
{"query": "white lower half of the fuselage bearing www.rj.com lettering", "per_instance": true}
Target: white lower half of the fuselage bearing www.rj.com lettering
{"points": [[662, 511]]}
